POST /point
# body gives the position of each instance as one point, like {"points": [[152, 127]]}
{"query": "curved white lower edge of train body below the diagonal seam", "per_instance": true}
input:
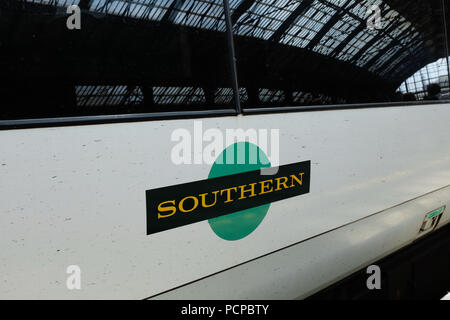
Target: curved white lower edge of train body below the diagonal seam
{"points": [[304, 269]]}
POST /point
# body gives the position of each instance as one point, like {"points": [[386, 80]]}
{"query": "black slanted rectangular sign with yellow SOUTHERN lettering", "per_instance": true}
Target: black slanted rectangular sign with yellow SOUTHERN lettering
{"points": [[179, 205]]}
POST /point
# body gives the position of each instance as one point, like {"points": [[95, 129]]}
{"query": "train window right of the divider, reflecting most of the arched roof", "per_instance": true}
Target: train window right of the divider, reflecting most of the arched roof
{"points": [[331, 52]]}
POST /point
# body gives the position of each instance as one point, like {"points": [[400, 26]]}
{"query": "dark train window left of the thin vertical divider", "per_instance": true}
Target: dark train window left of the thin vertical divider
{"points": [[106, 57]]}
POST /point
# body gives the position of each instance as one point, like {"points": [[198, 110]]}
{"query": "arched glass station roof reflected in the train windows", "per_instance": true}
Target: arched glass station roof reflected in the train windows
{"points": [[334, 28]]}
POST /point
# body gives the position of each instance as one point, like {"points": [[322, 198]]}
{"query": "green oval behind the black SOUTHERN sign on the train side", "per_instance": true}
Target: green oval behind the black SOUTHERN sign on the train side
{"points": [[239, 225]]}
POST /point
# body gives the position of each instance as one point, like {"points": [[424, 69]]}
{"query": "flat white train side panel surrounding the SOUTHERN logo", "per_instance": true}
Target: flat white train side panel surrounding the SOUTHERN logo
{"points": [[76, 196]]}
